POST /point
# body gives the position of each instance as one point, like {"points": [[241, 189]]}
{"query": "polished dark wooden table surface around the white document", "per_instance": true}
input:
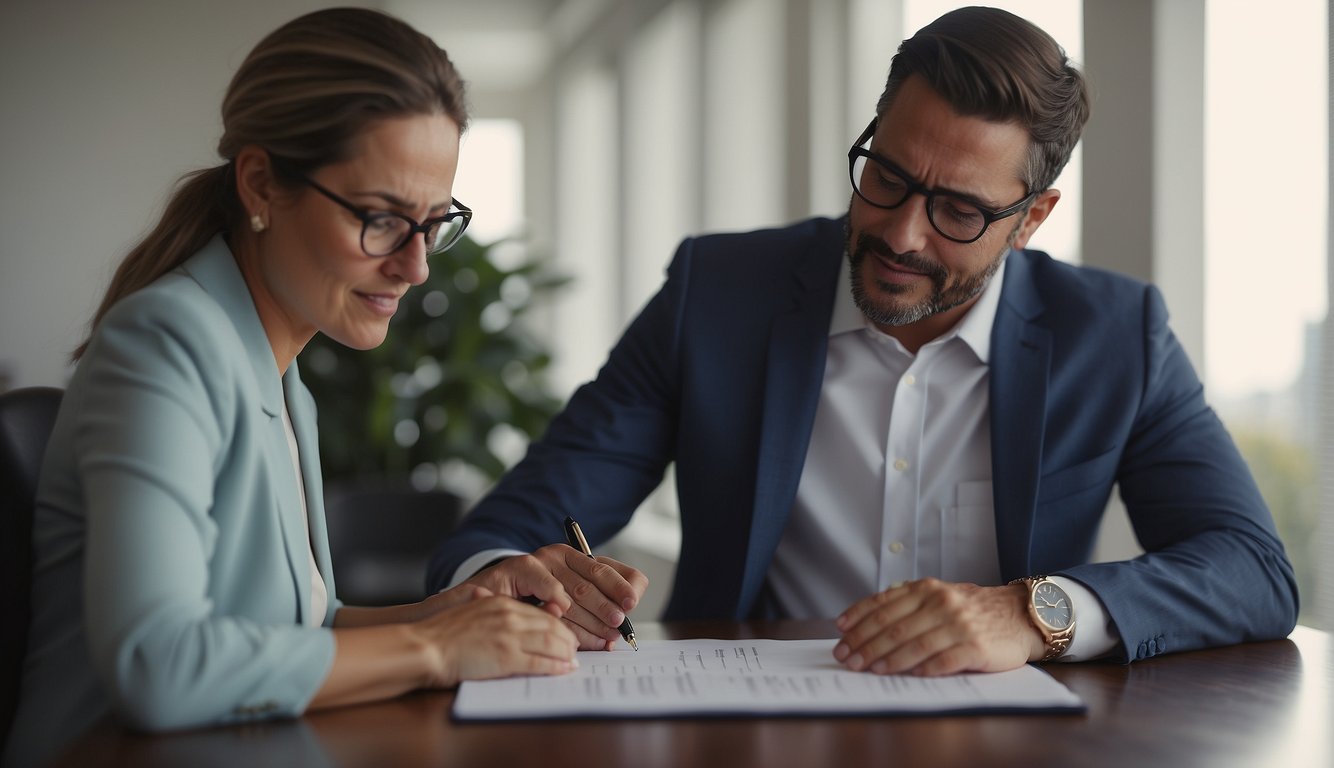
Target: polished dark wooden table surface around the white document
{"points": [[1256, 705]]}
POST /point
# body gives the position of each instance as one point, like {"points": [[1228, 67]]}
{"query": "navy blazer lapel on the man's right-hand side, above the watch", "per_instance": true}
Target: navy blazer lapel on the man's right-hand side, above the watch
{"points": [[1021, 365]]}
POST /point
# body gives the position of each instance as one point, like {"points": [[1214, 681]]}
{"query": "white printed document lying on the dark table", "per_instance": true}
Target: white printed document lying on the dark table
{"points": [[769, 678]]}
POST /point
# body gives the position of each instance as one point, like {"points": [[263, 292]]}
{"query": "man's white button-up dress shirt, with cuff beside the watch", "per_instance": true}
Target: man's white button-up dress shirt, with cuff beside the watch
{"points": [[897, 482]]}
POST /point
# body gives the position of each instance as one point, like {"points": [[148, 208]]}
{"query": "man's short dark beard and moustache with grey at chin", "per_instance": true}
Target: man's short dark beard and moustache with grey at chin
{"points": [[889, 313]]}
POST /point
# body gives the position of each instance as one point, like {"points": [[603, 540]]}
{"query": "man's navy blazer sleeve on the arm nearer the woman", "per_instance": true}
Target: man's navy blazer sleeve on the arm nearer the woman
{"points": [[602, 457]]}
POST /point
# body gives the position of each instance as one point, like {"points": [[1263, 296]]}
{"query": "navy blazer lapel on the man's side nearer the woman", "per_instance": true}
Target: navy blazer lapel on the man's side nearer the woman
{"points": [[797, 347]]}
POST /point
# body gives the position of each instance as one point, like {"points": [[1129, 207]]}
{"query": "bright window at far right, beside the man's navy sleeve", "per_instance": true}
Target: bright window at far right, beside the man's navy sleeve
{"points": [[1267, 207]]}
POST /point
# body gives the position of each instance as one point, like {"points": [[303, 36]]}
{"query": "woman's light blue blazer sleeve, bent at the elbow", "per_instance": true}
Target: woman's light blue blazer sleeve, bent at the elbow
{"points": [[153, 438]]}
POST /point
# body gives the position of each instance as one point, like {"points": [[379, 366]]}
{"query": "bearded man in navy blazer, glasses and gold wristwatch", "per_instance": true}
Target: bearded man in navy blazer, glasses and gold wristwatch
{"points": [[906, 422]]}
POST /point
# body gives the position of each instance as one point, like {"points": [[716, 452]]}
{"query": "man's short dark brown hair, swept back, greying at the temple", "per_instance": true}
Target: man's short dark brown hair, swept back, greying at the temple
{"points": [[992, 65]]}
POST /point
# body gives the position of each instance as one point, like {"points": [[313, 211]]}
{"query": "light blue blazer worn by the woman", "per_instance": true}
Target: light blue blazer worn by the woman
{"points": [[171, 561]]}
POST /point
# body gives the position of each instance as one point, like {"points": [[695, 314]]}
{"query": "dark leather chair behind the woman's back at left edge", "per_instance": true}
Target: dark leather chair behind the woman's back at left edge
{"points": [[26, 422]]}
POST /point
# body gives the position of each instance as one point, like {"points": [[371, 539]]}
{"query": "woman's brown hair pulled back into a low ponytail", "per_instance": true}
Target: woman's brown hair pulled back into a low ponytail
{"points": [[305, 94]]}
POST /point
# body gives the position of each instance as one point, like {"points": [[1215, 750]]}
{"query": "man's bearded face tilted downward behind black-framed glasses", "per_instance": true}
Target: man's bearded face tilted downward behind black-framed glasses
{"points": [[908, 278]]}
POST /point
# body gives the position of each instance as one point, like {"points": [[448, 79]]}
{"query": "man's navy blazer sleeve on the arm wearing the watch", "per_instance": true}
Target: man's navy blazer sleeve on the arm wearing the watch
{"points": [[1215, 571]]}
